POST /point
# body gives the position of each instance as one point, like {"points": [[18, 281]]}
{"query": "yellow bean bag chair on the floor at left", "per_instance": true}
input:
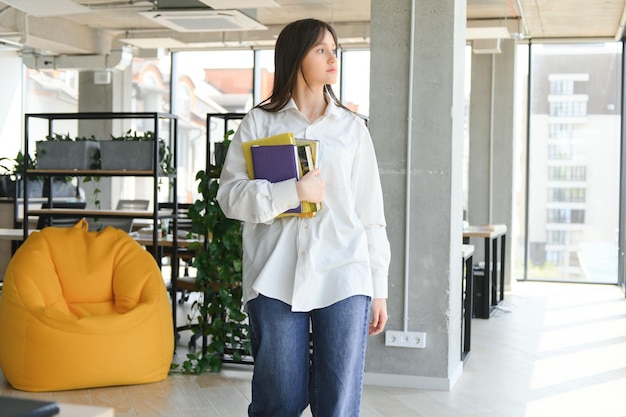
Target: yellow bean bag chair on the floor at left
{"points": [[83, 309]]}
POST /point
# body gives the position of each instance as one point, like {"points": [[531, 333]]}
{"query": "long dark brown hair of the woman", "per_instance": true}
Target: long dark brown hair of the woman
{"points": [[293, 43]]}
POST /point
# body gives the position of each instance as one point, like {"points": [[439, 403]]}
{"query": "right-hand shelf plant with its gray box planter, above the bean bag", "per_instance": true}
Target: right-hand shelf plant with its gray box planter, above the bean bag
{"points": [[135, 151]]}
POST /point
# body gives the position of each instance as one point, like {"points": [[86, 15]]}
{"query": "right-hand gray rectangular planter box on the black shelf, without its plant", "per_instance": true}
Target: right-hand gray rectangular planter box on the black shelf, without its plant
{"points": [[126, 155]]}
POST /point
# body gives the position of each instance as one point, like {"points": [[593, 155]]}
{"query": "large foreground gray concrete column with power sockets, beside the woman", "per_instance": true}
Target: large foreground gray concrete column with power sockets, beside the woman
{"points": [[421, 170]]}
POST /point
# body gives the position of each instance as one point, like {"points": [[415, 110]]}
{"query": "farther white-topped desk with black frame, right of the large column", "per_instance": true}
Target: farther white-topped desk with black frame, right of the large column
{"points": [[493, 285]]}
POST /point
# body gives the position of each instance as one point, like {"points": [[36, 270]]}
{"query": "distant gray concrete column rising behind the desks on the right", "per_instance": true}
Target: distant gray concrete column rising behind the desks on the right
{"points": [[492, 131]]}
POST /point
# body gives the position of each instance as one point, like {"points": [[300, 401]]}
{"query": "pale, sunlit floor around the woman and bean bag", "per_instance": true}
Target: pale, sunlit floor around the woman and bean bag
{"points": [[559, 350]]}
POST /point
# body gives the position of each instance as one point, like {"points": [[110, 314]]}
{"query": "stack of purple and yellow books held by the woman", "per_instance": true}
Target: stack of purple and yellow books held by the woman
{"points": [[282, 157]]}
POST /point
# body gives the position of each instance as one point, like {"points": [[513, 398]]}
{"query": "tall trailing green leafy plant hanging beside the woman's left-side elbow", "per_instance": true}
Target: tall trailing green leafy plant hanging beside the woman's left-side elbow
{"points": [[218, 262]]}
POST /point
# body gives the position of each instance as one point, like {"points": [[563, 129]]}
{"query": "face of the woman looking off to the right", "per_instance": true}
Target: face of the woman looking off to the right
{"points": [[319, 66]]}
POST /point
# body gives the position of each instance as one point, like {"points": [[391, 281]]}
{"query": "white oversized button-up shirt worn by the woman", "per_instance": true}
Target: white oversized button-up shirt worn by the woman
{"points": [[310, 263]]}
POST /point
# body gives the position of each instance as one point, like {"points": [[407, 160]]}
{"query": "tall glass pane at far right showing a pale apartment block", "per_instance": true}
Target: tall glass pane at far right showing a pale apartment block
{"points": [[574, 167]]}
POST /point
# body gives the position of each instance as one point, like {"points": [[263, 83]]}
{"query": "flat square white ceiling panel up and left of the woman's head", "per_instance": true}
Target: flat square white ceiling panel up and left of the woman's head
{"points": [[203, 20]]}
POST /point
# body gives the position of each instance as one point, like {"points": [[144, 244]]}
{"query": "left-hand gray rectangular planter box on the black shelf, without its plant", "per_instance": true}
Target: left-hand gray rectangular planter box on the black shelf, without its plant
{"points": [[67, 154]]}
